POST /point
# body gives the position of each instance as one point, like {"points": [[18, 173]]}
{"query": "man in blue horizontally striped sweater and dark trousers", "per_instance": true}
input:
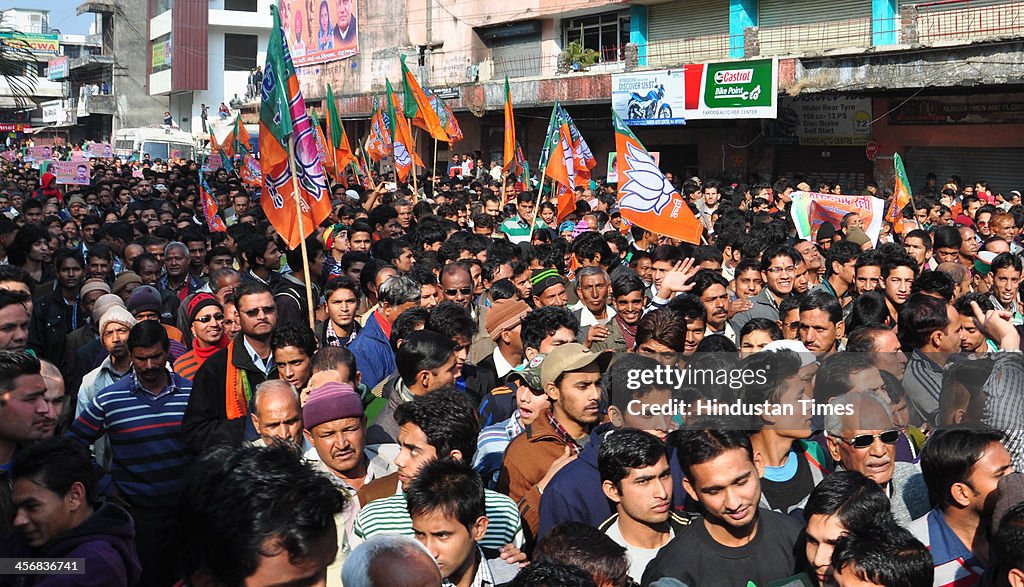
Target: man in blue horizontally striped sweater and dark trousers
{"points": [[142, 416]]}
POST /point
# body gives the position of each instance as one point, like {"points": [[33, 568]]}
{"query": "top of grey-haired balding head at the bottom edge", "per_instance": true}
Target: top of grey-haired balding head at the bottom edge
{"points": [[391, 560]]}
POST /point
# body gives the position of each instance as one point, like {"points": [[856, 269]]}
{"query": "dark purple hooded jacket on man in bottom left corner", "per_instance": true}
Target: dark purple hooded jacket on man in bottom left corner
{"points": [[106, 541]]}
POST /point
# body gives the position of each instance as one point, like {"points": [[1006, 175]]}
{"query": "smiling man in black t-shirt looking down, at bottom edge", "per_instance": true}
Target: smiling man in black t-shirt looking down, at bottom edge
{"points": [[736, 542]]}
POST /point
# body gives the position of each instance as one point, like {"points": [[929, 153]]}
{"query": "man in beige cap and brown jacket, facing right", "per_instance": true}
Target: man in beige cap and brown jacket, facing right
{"points": [[571, 375]]}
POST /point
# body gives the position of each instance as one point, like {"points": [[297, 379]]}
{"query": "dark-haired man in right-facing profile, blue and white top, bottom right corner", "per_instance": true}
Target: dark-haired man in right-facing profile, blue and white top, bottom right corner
{"points": [[962, 469]]}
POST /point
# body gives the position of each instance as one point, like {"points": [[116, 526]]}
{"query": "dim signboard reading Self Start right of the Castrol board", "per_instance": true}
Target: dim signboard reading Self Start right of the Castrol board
{"points": [[822, 120]]}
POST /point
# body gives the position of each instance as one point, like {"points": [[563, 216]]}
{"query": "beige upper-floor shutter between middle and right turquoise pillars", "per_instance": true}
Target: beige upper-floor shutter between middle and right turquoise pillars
{"points": [[789, 27]]}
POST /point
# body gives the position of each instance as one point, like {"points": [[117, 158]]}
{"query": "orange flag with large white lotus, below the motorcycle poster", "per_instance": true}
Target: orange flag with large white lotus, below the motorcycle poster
{"points": [[646, 197]]}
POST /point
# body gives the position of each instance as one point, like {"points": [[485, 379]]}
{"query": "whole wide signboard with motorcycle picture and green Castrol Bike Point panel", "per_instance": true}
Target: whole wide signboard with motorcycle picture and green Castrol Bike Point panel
{"points": [[711, 92]]}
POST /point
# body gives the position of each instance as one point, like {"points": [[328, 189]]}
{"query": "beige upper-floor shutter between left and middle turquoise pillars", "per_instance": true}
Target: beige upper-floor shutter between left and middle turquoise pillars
{"points": [[686, 31]]}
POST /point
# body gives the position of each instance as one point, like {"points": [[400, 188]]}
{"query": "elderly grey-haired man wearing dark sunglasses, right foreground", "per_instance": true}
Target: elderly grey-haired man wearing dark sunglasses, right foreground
{"points": [[865, 441]]}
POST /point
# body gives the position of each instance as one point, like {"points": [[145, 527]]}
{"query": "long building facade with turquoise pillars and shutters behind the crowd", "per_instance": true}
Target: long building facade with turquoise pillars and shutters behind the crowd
{"points": [[940, 82]]}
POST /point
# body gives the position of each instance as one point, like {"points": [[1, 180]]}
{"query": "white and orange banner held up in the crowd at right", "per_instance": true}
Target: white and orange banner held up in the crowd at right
{"points": [[812, 209]]}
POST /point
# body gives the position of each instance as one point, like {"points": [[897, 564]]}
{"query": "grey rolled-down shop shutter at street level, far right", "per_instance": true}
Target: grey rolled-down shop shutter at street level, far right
{"points": [[1001, 167]]}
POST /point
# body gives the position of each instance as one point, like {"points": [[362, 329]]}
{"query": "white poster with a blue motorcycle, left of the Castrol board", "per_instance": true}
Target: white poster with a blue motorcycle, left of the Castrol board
{"points": [[651, 99]]}
